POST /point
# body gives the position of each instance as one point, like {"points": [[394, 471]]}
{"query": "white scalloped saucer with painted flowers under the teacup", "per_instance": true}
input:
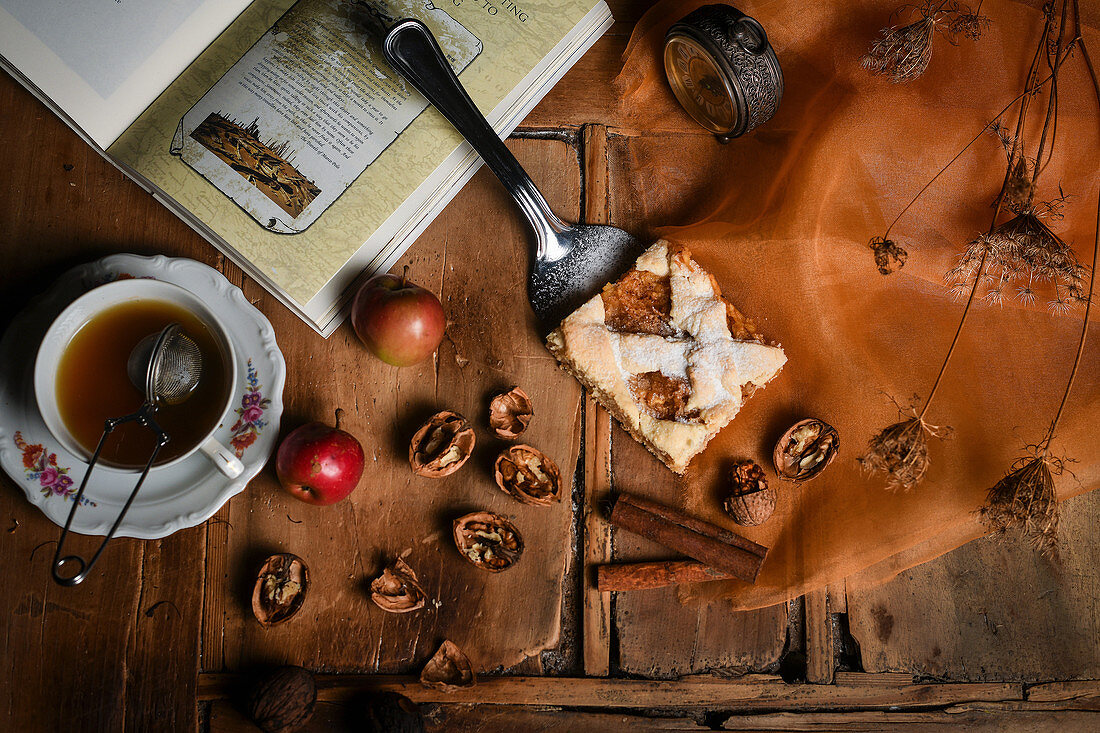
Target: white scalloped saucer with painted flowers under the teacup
{"points": [[189, 494]]}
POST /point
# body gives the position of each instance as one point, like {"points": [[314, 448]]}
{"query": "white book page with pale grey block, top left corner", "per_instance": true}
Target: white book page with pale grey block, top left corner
{"points": [[104, 62]]}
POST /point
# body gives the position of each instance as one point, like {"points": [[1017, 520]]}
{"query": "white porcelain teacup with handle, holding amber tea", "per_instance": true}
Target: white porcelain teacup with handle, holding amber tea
{"points": [[90, 305]]}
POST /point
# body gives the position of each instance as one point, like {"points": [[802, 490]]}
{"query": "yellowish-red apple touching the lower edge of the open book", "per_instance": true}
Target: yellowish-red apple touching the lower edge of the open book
{"points": [[401, 323]]}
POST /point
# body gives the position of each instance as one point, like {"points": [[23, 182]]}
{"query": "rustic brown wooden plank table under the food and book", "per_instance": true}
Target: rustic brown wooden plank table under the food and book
{"points": [[949, 643]]}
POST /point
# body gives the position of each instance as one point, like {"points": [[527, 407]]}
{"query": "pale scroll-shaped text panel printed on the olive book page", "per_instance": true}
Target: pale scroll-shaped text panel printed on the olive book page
{"points": [[315, 84]]}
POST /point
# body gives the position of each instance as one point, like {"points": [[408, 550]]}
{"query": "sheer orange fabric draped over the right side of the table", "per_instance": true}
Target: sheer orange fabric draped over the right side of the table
{"points": [[784, 224]]}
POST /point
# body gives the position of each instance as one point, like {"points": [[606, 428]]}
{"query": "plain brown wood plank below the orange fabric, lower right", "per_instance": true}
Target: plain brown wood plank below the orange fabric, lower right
{"points": [[991, 610]]}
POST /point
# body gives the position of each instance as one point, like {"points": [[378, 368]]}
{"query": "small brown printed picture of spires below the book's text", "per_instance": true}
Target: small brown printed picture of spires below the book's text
{"points": [[265, 166]]}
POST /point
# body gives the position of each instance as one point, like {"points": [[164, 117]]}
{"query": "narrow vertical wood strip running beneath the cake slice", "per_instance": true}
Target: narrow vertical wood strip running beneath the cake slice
{"points": [[598, 442]]}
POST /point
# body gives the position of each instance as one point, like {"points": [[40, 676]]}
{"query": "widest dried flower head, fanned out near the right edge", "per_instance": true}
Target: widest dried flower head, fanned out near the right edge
{"points": [[1019, 256]]}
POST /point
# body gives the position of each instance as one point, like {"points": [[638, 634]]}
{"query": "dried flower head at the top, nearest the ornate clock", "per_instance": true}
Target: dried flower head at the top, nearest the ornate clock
{"points": [[904, 53]]}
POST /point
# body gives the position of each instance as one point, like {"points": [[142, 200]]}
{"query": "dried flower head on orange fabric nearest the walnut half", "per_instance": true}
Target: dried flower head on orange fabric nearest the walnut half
{"points": [[901, 451]]}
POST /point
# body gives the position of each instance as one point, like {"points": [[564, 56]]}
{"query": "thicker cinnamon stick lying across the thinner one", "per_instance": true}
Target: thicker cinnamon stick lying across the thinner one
{"points": [[702, 541]]}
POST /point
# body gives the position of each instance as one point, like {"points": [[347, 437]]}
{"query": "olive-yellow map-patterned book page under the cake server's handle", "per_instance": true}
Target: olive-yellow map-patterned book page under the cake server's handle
{"points": [[299, 262]]}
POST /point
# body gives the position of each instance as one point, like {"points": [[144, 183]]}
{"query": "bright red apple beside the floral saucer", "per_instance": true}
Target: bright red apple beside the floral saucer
{"points": [[320, 464]]}
